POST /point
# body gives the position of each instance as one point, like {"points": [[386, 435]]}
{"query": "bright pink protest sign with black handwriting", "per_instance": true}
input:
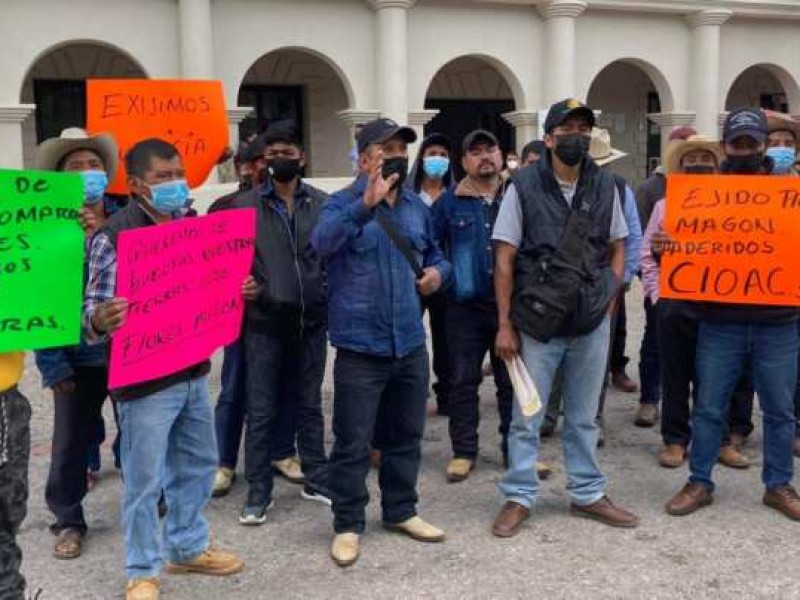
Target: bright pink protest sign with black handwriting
{"points": [[183, 282]]}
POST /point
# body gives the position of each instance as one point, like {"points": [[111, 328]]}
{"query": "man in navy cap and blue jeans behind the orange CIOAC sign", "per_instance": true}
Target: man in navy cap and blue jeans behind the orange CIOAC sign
{"points": [[732, 338]]}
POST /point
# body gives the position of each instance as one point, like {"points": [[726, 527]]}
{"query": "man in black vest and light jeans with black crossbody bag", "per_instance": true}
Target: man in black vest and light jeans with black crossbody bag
{"points": [[561, 216]]}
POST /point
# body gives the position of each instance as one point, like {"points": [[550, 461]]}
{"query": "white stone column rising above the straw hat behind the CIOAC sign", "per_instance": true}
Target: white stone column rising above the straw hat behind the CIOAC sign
{"points": [[704, 68]]}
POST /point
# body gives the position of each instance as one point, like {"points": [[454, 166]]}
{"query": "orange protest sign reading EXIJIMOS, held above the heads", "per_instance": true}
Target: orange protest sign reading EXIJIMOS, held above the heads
{"points": [[189, 114]]}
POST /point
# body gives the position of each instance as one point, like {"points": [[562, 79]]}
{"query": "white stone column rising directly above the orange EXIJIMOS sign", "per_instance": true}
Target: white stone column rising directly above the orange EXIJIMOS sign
{"points": [[196, 39]]}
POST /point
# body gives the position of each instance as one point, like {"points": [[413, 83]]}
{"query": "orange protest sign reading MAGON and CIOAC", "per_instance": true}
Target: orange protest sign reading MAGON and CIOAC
{"points": [[734, 239]]}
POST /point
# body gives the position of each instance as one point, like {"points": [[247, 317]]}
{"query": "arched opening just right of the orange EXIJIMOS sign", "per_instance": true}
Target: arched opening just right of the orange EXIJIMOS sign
{"points": [[302, 89]]}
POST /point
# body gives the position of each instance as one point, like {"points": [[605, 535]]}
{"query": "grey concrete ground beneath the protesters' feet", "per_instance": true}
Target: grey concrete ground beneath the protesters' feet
{"points": [[736, 548]]}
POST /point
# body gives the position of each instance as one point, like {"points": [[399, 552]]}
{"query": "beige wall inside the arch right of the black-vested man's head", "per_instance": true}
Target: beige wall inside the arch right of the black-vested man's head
{"points": [[620, 93]]}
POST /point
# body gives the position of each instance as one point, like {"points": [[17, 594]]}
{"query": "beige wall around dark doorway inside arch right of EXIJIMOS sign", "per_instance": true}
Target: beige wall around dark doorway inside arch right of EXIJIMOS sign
{"points": [[327, 136]]}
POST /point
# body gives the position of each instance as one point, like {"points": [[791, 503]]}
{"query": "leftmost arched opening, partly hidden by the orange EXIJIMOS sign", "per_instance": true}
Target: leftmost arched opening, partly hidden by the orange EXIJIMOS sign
{"points": [[56, 84]]}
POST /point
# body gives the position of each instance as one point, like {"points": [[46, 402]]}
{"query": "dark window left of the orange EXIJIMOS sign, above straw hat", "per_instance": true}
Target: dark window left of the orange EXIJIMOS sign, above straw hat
{"points": [[60, 103]]}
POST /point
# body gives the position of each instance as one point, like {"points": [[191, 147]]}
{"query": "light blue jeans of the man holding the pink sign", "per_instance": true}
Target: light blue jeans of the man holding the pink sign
{"points": [[167, 440]]}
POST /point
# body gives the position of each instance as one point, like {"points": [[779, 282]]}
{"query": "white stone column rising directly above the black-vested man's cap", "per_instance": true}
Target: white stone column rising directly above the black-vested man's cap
{"points": [[559, 54]]}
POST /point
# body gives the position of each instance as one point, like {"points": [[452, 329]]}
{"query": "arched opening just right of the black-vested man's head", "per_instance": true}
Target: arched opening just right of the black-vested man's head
{"points": [[624, 92]]}
